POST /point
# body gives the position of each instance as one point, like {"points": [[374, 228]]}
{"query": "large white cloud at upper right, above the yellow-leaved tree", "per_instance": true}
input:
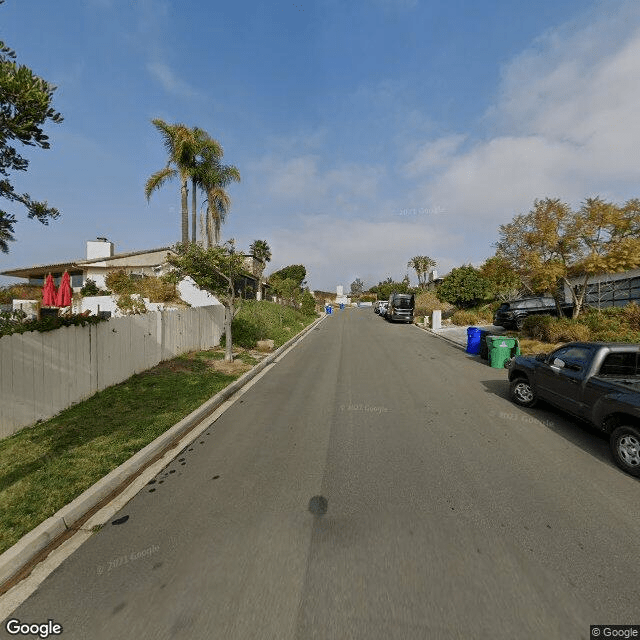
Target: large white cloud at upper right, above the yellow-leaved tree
{"points": [[567, 127]]}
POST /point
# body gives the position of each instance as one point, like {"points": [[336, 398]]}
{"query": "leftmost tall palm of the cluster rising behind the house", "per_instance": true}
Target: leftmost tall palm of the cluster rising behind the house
{"points": [[179, 142]]}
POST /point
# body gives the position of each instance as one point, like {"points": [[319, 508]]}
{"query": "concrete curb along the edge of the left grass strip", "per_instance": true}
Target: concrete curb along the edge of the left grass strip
{"points": [[70, 517]]}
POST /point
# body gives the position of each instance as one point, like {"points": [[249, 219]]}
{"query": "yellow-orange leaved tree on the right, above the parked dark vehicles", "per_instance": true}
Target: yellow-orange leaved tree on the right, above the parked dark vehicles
{"points": [[553, 244]]}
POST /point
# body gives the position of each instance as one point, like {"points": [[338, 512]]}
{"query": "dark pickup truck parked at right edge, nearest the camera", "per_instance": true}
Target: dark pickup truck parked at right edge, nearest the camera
{"points": [[596, 381]]}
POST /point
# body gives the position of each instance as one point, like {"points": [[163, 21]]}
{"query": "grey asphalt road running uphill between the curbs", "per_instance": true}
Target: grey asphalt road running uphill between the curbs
{"points": [[450, 512]]}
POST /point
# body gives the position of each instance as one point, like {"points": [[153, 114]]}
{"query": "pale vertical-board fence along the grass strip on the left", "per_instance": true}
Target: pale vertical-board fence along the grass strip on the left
{"points": [[43, 373]]}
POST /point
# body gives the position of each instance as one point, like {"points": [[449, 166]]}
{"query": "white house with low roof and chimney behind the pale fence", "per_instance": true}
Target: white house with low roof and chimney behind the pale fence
{"points": [[101, 259]]}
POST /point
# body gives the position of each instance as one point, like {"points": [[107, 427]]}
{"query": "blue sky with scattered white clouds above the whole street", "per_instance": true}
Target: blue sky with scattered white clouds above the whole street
{"points": [[366, 132]]}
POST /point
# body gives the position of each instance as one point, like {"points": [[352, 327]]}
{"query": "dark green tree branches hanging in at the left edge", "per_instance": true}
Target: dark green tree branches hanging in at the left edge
{"points": [[25, 107]]}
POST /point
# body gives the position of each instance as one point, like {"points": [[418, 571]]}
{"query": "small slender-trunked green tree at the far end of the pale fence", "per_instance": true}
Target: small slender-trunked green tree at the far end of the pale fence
{"points": [[216, 269]]}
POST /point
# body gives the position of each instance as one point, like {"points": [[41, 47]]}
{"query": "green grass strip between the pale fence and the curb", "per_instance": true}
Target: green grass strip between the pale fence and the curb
{"points": [[44, 467]]}
